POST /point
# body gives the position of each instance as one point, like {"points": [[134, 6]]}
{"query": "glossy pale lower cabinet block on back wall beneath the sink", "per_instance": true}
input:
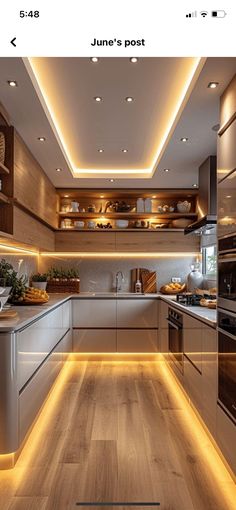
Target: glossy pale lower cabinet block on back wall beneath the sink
{"points": [[115, 325]]}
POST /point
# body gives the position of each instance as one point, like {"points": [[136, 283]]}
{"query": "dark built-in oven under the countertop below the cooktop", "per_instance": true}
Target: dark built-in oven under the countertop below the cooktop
{"points": [[175, 338]]}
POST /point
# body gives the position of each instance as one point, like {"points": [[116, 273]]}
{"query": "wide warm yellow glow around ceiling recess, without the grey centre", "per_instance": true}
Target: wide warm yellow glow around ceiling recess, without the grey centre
{"points": [[177, 100]]}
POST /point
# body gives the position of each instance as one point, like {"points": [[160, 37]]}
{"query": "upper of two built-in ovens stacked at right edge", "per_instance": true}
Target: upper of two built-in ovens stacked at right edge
{"points": [[227, 273]]}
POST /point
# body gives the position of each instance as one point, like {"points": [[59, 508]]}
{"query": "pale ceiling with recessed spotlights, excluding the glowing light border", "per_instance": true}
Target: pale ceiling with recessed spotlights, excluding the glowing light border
{"points": [[113, 124]]}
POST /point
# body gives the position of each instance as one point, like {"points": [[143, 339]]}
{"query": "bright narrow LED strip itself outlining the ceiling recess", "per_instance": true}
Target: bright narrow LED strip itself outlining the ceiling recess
{"points": [[92, 172]]}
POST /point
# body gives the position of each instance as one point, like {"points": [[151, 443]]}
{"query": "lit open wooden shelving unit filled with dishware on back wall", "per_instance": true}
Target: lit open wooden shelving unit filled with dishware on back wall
{"points": [[126, 209]]}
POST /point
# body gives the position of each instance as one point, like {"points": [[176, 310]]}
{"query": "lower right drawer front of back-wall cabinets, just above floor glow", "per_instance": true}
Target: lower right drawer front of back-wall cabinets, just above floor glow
{"points": [[137, 340]]}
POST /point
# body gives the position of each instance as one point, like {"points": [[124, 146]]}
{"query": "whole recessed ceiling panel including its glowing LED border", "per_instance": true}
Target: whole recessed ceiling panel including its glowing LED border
{"points": [[67, 88]]}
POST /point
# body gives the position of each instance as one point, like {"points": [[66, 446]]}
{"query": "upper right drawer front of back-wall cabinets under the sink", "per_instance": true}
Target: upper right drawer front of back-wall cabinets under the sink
{"points": [[137, 313]]}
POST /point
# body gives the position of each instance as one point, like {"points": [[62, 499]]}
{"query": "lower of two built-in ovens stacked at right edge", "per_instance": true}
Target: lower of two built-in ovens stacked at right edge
{"points": [[227, 362]]}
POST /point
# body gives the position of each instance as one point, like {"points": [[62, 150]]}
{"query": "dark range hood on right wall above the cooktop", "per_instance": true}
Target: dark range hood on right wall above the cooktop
{"points": [[206, 198]]}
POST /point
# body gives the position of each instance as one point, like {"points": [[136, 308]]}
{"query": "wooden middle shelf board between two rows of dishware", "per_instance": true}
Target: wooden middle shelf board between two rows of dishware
{"points": [[133, 215]]}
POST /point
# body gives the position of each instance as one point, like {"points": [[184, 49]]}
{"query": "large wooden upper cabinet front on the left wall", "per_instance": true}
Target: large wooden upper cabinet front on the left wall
{"points": [[32, 188]]}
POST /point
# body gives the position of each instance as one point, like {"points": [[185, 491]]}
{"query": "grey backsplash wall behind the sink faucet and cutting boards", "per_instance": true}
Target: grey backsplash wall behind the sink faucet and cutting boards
{"points": [[97, 274]]}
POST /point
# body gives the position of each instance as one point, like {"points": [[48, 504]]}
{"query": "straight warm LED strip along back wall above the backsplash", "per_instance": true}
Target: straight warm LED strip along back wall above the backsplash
{"points": [[118, 254]]}
